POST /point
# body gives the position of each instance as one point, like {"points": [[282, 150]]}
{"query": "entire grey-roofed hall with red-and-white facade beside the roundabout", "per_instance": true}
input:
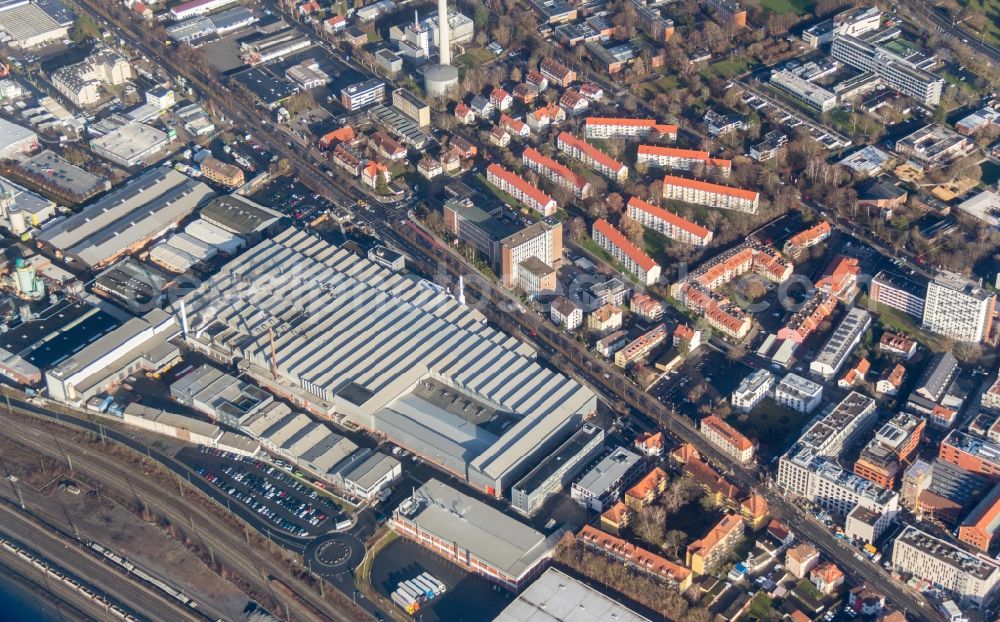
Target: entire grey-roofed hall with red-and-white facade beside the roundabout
{"points": [[473, 535]]}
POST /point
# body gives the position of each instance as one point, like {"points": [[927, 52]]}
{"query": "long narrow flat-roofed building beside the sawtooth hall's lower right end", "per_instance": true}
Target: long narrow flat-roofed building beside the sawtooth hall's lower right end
{"points": [[557, 469]]}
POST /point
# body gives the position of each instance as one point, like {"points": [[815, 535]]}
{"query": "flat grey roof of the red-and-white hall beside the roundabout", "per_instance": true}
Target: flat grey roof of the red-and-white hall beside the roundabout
{"points": [[503, 542]]}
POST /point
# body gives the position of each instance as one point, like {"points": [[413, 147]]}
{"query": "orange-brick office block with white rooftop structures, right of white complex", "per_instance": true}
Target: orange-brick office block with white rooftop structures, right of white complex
{"points": [[894, 445]]}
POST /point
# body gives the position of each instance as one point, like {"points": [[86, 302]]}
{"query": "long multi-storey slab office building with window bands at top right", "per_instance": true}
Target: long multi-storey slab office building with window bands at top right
{"points": [[895, 71]]}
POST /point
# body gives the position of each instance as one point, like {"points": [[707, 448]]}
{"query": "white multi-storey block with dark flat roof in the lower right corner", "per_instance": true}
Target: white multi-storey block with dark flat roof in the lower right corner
{"points": [[973, 577]]}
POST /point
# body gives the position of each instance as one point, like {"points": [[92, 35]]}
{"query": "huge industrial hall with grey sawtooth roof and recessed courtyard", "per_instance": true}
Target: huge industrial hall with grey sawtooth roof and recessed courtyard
{"points": [[345, 338]]}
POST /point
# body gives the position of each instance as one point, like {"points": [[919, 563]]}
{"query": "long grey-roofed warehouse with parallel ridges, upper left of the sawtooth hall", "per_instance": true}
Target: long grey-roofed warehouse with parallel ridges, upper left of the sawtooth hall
{"points": [[127, 218]]}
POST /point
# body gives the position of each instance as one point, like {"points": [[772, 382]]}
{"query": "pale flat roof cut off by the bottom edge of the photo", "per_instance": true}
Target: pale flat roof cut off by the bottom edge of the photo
{"points": [[558, 597]]}
